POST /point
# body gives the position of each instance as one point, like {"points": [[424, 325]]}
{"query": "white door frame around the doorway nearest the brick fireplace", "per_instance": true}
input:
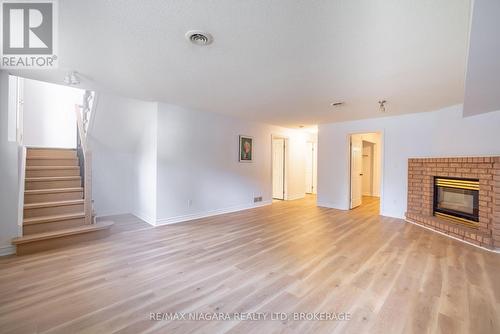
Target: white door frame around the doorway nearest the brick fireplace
{"points": [[382, 165]]}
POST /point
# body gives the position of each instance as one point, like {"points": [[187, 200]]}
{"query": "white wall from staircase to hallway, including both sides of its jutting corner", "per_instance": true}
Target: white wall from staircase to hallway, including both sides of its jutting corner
{"points": [[167, 164]]}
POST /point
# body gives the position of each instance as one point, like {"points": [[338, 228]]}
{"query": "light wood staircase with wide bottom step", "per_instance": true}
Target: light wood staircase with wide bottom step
{"points": [[55, 212]]}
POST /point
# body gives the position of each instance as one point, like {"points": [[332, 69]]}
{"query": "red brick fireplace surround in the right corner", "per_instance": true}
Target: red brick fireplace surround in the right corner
{"points": [[421, 172]]}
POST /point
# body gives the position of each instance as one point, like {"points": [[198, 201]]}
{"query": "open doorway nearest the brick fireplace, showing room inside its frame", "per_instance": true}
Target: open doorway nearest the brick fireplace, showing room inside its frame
{"points": [[365, 167]]}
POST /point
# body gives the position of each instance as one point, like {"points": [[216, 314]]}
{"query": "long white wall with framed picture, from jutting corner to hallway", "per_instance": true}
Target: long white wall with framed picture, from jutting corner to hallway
{"points": [[198, 169]]}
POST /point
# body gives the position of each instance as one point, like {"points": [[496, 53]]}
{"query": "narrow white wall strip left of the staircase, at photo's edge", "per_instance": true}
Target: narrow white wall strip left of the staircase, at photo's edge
{"points": [[8, 173]]}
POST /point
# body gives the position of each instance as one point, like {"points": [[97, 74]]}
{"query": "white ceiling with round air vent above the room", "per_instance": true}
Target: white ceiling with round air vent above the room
{"points": [[280, 61]]}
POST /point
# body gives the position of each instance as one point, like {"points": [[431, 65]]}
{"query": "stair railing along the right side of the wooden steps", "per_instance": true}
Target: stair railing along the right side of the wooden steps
{"points": [[87, 166]]}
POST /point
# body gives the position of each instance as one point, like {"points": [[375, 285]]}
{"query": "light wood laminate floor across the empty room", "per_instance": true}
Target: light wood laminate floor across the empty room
{"points": [[390, 276]]}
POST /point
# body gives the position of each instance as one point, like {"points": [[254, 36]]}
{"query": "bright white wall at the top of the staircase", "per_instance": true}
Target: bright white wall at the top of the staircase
{"points": [[49, 114]]}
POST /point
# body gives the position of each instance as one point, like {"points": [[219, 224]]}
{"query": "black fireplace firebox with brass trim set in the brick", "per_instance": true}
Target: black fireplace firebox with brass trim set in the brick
{"points": [[457, 200]]}
